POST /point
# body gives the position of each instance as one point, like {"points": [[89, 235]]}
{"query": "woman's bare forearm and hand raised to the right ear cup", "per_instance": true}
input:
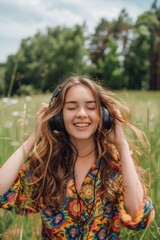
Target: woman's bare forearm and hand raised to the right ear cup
{"points": [[133, 191]]}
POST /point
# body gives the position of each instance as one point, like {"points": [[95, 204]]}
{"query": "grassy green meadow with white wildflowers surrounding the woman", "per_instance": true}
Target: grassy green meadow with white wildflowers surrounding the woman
{"points": [[16, 123]]}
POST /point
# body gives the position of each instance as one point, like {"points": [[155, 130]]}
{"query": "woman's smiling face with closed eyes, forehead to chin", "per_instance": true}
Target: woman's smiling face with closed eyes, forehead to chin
{"points": [[80, 113]]}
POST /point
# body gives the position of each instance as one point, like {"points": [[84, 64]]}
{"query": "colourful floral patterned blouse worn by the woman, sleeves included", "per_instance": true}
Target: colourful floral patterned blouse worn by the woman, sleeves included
{"points": [[89, 214]]}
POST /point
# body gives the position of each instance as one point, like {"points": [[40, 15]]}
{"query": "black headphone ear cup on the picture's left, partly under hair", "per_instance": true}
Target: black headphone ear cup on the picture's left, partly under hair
{"points": [[57, 123]]}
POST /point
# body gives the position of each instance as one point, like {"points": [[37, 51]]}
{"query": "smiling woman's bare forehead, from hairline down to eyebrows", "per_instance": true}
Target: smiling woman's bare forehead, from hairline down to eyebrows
{"points": [[79, 93]]}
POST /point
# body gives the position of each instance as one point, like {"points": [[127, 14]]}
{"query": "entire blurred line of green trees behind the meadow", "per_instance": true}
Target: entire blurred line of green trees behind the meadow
{"points": [[121, 53]]}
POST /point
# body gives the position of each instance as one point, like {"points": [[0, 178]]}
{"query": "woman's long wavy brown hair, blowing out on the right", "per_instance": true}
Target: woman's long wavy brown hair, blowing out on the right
{"points": [[52, 160]]}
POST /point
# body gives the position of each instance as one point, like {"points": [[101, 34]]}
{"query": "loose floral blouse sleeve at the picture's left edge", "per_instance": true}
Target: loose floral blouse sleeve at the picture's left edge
{"points": [[18, 197]]}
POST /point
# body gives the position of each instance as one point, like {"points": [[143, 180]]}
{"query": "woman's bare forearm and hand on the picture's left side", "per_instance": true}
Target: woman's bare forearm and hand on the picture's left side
{"points": [[10, 169]]}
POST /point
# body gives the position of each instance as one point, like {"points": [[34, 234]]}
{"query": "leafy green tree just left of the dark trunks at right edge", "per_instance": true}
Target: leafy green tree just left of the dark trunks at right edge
{"points": [[136, 60]]}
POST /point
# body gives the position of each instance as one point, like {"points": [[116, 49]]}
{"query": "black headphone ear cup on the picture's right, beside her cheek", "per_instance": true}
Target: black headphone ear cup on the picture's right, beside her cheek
{"points": [[107, 119]]}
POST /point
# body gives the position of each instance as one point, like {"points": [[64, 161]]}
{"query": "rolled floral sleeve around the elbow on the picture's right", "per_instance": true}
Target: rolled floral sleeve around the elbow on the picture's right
{"points": [[143, 217]]}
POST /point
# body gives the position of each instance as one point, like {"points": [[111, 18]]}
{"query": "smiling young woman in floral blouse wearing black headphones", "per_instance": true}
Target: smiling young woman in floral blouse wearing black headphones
{"points": [[79, 172]]}
